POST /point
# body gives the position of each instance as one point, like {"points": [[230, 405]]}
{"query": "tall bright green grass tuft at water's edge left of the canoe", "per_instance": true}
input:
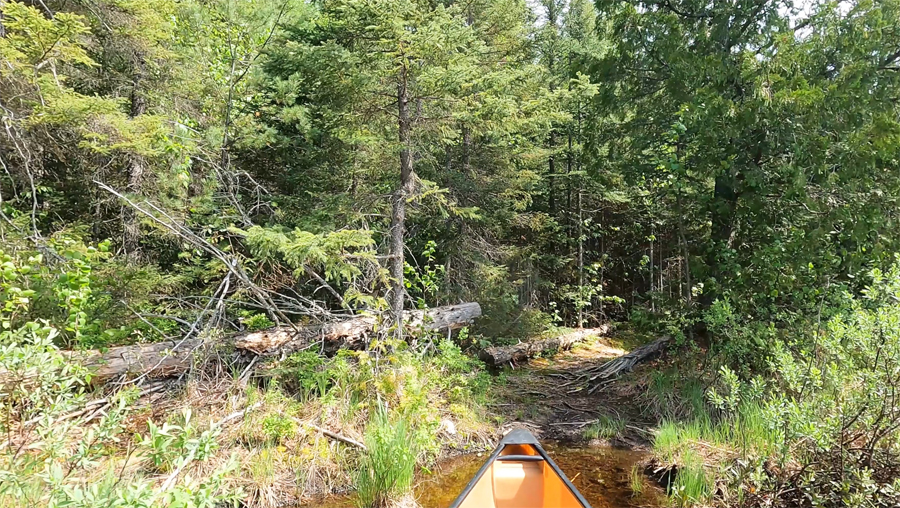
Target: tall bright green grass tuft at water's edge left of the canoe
{"points": [[387, 469]]}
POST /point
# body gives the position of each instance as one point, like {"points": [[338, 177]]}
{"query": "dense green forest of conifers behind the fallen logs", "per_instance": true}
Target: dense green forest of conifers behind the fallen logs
{"points": [[726, 172]]}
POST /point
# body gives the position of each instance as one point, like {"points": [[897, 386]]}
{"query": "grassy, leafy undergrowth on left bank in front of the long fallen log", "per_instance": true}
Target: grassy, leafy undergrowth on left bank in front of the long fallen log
{"points": [[407, 406]]}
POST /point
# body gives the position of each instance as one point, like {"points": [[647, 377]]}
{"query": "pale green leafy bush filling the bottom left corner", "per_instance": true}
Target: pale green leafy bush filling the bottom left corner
{"points": [[53, 458]]}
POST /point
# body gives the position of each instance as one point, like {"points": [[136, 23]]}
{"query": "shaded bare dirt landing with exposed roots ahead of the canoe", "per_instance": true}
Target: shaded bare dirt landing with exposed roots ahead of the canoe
{"points": [[555, 399]]}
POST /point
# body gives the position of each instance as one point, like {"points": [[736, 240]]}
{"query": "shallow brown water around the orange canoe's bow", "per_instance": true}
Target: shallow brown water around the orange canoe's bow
{"points": [[601, 473]]}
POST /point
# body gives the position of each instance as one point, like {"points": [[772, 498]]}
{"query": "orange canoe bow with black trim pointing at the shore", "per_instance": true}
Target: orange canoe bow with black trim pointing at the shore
{"points": [[520, 474]]}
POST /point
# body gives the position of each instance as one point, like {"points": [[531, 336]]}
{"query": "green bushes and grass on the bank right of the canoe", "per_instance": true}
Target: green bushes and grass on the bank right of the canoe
{"points": [[817, 427]]}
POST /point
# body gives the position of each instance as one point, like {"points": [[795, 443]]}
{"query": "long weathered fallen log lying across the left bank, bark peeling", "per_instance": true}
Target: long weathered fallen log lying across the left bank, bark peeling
{"points": [[164, 359]]}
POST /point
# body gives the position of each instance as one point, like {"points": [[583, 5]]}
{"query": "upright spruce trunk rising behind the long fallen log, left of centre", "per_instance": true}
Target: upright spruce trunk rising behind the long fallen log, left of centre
{"points": [[397, 291]]}
